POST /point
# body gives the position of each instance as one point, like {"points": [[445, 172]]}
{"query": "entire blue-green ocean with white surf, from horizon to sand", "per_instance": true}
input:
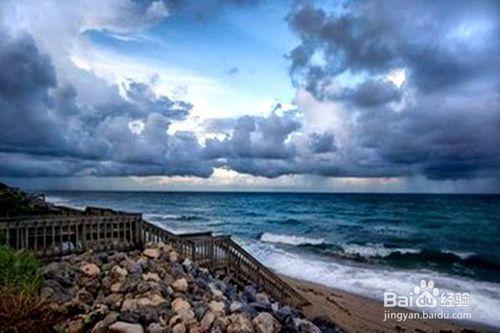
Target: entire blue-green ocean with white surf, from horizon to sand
{"points": [[361, 243]]}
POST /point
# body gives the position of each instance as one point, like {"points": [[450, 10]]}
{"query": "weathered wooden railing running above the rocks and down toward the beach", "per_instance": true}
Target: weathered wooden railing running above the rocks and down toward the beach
{"points": [[49, 236]]}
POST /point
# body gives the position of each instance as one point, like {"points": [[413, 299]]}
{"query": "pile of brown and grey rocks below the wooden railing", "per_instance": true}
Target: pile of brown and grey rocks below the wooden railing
{"points": [[154, 291]]}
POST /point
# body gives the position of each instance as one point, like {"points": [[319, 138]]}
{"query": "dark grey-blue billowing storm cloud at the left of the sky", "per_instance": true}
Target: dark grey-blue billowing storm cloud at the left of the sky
{"points": [[47, 131]]}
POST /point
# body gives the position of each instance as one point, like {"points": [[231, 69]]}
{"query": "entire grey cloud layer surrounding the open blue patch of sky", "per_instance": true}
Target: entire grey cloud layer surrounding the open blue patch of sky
{"points": [[383, 90]]}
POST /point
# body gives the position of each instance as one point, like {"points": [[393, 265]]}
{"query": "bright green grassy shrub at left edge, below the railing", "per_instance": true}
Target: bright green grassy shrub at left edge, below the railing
{"points": [[19, 270]]}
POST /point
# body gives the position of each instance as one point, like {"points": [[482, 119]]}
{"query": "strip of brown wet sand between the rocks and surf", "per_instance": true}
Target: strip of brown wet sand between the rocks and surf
{"points": [[356, 313]]}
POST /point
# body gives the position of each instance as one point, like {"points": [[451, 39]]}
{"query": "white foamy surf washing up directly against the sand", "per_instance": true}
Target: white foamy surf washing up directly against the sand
{"points": [[374, 280]]}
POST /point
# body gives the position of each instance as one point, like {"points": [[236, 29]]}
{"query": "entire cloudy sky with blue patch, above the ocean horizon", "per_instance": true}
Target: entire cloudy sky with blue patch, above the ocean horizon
{"points": [[249, 95]]}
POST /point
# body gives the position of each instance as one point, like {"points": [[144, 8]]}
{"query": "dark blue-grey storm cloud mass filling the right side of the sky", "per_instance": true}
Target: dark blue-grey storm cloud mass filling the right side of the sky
{"points": [[447, 122]]}
